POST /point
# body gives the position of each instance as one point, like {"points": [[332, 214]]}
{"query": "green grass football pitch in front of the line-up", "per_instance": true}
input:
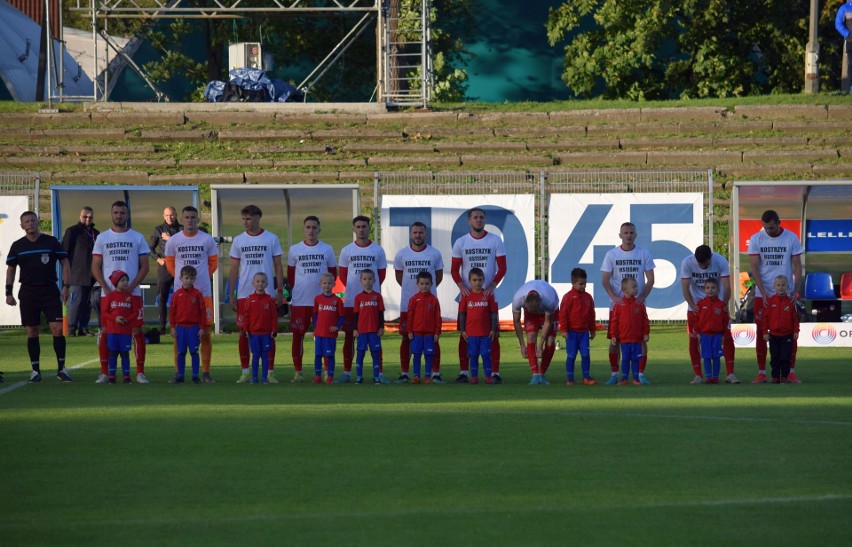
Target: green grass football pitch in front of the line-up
{"points": [[225, 464]]}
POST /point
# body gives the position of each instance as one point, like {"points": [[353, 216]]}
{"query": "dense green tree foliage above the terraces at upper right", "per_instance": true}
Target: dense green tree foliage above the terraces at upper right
{"points": [[660, 49]]}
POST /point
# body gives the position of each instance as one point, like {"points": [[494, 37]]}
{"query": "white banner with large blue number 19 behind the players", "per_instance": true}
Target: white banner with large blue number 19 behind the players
{"points": [[510, 216]]}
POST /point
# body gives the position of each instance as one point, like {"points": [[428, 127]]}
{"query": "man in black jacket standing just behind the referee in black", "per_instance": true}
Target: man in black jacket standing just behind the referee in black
{"points": [[78, 242]]}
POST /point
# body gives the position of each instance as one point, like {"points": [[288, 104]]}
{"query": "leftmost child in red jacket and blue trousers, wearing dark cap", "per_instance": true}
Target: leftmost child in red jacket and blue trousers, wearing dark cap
{"points": [[122, 311]]}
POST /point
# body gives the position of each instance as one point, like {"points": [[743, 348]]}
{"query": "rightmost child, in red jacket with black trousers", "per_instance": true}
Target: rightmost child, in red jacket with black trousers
{"points": [[781, 323]]}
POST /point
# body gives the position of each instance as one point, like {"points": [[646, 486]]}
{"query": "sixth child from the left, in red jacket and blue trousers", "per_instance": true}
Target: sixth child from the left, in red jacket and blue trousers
{"points": [[424, 327]]}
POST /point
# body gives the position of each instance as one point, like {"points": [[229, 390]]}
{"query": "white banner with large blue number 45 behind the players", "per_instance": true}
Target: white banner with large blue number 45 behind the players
{"points": [[583, 227]]}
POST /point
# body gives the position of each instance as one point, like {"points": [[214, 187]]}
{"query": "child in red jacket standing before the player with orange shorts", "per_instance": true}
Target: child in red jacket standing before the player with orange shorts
{"points": [[187, 317]]}
